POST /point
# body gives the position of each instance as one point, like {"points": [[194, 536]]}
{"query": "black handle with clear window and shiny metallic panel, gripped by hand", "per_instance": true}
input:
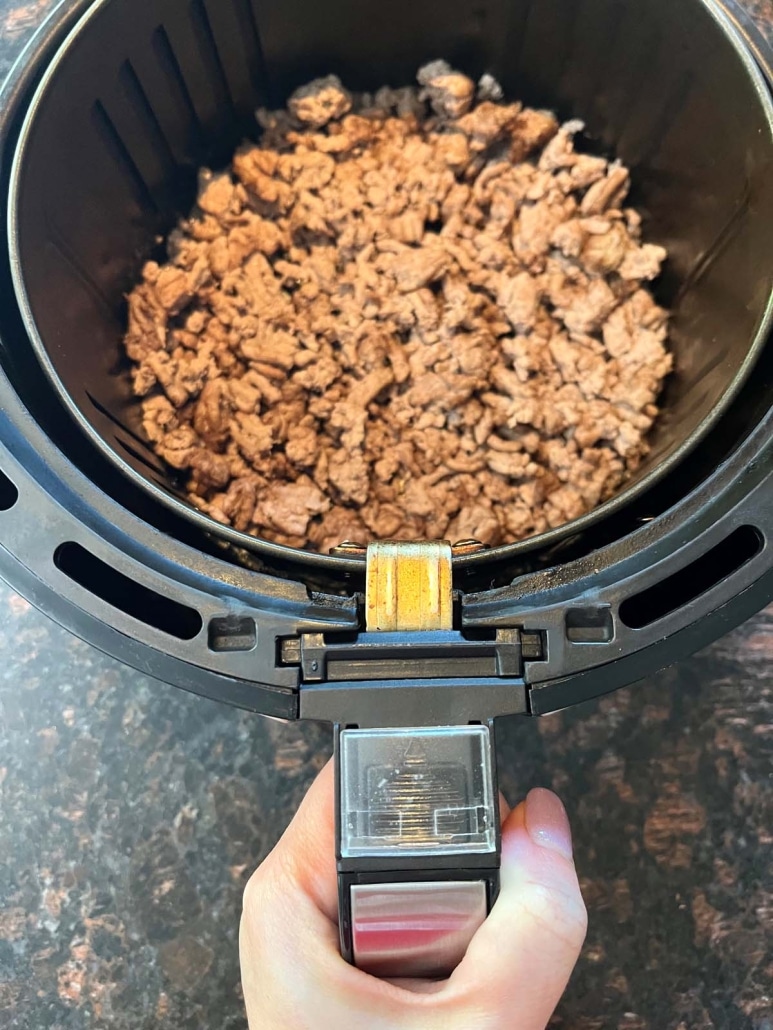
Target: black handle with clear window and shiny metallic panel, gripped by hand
{"points": [[418, 843]]}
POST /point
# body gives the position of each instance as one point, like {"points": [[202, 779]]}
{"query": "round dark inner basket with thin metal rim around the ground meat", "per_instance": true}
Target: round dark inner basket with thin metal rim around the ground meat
{"points": [[144, 94]]}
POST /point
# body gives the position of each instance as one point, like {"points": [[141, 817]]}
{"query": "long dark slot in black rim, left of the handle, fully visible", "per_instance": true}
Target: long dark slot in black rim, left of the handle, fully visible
{"points": [[126, 595]]}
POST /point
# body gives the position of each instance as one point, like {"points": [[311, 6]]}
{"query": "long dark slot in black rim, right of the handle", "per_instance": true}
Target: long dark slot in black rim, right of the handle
{"points": [[687, 585]]}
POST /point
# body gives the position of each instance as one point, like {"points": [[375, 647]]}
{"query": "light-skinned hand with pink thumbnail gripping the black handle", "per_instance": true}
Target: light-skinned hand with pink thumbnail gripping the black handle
{"points": [[512, 978]]}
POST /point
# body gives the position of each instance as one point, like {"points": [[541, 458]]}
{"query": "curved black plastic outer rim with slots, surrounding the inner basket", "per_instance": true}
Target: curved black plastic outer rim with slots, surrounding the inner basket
{"points": [[56, 488]]}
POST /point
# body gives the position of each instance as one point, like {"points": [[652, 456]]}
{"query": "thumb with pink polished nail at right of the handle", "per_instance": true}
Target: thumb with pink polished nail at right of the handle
{"points": [[524, 954]]}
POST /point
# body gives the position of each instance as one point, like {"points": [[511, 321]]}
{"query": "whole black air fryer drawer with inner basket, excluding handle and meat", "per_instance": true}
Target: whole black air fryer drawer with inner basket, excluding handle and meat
{"points": [[105, 124]]}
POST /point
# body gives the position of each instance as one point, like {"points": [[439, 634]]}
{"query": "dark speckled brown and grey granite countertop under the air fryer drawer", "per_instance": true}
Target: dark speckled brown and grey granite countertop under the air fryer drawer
{"points": [[131, 815]]}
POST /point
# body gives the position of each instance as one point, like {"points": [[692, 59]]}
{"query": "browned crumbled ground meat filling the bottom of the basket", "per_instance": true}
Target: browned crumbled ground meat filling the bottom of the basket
{"points": [[415, 315]]}
